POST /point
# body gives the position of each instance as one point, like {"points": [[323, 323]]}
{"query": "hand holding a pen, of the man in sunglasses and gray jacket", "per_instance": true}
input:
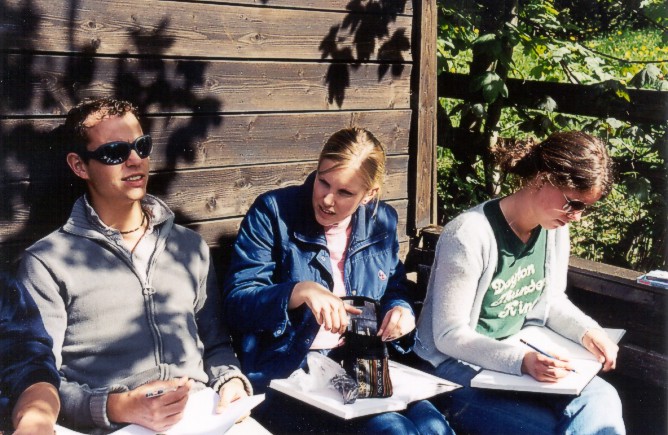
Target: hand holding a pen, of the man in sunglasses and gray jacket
{"points": [[157, 413]]}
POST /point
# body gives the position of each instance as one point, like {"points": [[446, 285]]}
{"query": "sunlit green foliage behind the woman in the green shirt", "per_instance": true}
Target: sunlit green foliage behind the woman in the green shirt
{"points": [[613, 44]]}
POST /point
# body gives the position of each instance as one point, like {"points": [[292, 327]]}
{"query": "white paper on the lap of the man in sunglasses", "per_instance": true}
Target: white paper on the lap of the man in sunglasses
{"points": [[200, 418]]}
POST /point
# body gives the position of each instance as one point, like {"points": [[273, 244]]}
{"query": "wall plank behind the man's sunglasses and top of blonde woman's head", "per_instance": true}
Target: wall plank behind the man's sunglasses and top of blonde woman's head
{"points": [[203, 141]]}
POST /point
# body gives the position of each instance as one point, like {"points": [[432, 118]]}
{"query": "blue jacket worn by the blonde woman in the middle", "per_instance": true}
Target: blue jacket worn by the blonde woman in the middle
{"points": [[280, 244]]}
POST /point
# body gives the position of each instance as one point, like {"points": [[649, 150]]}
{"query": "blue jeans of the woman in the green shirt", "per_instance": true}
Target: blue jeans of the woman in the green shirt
{"points": [[597, 410]]}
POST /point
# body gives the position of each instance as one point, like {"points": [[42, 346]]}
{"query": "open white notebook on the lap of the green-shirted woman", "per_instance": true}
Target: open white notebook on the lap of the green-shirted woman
{"points": [[585, 364]]}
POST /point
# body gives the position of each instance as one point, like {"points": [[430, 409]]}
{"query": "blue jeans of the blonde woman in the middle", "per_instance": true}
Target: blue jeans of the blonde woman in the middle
{"points": [[282, 414]]}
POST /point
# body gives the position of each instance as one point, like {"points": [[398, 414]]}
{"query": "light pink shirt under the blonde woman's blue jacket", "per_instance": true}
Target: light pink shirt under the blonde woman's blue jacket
{"points": [[337, 237]]}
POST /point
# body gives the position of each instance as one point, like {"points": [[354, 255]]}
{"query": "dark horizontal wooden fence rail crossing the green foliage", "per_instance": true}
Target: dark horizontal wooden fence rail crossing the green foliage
{"points": [[644, 105]]}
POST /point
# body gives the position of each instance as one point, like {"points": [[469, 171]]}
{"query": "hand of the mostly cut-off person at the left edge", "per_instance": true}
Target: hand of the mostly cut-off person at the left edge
{"points": [[36, 410]]}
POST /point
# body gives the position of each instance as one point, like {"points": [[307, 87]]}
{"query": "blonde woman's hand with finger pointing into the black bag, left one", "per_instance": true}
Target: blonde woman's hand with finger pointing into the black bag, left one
{"points": [[328, 309]]}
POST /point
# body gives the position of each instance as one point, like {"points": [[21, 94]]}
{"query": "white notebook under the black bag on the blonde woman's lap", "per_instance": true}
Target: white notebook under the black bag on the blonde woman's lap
{"points": [[408, 384]]}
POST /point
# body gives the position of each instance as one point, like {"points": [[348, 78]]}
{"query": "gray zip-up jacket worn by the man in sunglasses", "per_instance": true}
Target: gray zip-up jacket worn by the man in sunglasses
{"points": [[114, 328]]}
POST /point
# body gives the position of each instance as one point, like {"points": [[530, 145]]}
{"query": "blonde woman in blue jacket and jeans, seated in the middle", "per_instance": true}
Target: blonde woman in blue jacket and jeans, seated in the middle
{"points": [[299, 250]]}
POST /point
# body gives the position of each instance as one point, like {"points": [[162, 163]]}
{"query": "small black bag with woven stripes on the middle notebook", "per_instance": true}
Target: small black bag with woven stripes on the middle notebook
{"points": [[364, 354]]}
